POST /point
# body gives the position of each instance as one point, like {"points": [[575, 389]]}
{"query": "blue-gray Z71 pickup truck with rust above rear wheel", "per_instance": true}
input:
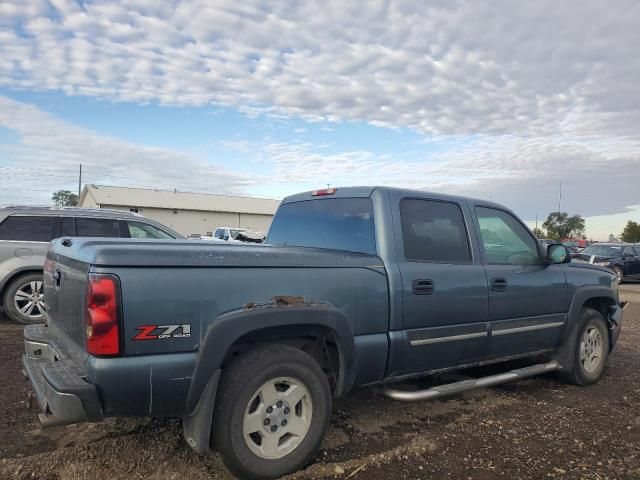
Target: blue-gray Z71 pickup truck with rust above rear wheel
{"points": [[355, 286]]}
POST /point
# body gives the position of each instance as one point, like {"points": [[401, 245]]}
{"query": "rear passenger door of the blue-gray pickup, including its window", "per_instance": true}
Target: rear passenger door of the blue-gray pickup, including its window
{"points": [[444, 287]]}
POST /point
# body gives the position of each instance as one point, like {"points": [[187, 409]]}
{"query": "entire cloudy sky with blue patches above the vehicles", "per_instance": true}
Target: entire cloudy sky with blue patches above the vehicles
{"points": [[509, 101]]}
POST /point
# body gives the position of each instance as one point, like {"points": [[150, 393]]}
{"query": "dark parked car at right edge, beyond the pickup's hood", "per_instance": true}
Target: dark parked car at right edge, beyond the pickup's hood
{"points": [[622, 258]]}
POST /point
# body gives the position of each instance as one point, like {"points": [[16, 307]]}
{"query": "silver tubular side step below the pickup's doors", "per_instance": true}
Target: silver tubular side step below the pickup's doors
{"points": [[464, 385]]}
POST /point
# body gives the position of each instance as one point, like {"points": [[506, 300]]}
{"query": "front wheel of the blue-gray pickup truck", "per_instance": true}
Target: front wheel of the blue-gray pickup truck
{"points": [[589, 358]]}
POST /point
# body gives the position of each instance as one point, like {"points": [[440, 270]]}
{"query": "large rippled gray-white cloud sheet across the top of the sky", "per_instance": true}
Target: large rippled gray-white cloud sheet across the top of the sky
{"points": [[438, 67]]}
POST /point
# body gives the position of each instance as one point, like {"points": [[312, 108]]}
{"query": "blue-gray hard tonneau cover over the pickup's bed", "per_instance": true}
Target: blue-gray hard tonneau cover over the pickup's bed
{"points": [[189, 253]]}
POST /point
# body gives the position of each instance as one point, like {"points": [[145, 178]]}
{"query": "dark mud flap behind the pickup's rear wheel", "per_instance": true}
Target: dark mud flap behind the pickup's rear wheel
{"points": [[196, 428]]}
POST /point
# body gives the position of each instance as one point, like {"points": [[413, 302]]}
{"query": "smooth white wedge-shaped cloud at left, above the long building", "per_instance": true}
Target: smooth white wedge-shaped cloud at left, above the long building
{"points": [[48, 151]]}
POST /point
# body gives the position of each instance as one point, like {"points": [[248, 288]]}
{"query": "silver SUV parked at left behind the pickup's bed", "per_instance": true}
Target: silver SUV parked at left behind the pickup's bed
{"points": [[25, 233]]}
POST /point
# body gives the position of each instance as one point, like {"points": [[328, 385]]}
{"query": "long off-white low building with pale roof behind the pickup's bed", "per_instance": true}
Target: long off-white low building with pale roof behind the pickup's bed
{"points": [[186, 213]]}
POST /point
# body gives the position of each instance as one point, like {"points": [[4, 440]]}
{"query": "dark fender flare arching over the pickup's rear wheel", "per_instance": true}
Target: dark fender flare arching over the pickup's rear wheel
{"points": [[225, 330]]}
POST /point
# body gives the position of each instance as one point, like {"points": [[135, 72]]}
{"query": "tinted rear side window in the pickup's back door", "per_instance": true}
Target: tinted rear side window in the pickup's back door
{"points": [[434, 231]]}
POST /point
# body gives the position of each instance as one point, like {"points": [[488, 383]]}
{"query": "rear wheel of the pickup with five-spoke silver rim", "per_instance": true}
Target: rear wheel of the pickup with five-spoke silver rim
{"points": [[243, 386]]}
